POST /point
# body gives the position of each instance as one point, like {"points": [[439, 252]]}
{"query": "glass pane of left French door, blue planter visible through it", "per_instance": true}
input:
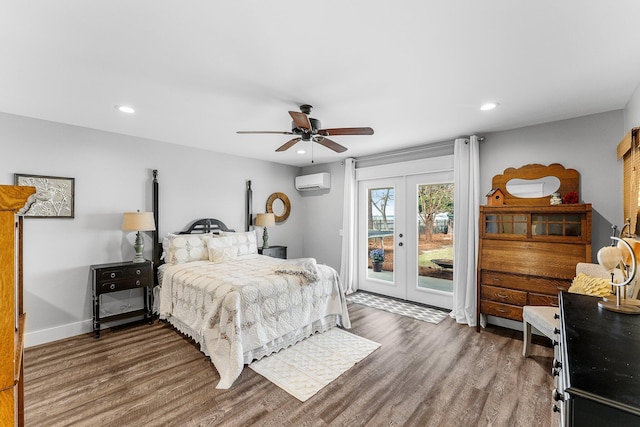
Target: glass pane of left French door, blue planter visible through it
{"points": [[381, 222]]}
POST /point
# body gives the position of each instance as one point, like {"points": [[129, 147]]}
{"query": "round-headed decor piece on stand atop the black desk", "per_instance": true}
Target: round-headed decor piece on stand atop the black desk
{"points": [[610, 257]]}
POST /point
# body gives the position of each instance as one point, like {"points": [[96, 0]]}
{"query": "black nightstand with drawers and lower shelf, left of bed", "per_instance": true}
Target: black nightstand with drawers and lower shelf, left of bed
{"points": [[121, 276]]}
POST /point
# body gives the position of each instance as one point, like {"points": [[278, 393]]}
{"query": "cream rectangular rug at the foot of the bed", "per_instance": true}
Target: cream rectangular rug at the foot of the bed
{"points": [[305, 368]]}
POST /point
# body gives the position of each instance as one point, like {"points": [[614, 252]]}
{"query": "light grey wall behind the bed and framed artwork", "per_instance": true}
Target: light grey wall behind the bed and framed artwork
{"points": [[112, 175]]}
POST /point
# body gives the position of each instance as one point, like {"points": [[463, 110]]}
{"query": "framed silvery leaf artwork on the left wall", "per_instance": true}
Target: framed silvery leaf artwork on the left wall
{"points": [[54, 195]]}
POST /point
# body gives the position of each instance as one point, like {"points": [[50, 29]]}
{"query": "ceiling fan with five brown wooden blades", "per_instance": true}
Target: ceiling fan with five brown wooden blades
{"points": [[308, 129]]}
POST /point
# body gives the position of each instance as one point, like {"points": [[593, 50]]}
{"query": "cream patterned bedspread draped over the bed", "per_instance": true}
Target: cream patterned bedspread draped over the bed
{"points": [[242, 309]]}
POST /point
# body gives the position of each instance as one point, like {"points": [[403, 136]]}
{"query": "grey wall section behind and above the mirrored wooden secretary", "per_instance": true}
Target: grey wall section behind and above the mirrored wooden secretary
{"points": [[587, 144]]}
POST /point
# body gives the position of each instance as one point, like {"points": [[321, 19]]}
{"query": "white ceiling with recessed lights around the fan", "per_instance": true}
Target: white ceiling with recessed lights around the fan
{"points": [[414, 70]]}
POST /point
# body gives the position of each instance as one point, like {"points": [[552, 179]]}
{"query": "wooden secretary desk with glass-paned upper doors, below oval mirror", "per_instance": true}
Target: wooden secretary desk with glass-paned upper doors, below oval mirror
{"points": [[527, 254]]}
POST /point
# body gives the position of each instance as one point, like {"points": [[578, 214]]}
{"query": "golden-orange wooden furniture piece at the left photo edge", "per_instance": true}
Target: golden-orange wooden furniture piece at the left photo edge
{"points": [[12, 318]]}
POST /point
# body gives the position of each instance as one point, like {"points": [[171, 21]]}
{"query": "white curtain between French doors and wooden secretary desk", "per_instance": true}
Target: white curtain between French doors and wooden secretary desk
{"points": [[465, 242]]}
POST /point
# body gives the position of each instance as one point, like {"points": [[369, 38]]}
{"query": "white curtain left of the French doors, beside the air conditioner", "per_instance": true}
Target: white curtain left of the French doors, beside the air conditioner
{"points": [[347, 265]]}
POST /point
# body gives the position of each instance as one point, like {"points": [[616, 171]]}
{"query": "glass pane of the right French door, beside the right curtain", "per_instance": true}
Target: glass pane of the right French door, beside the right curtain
{"points": [[435, 236]]}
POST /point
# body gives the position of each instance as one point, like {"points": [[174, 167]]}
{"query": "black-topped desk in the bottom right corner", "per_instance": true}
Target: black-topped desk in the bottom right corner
{"points": [[598, 368]]}
